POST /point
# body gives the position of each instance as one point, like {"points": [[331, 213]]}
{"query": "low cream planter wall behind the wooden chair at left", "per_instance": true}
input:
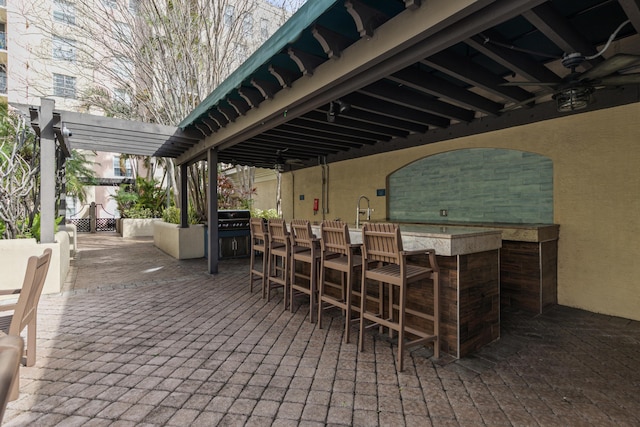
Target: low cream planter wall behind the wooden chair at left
{"points": [[14, 254]]}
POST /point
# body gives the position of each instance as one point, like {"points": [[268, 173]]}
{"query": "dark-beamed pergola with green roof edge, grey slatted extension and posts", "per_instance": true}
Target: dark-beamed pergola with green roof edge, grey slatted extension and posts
{"points": [[347, 79]]}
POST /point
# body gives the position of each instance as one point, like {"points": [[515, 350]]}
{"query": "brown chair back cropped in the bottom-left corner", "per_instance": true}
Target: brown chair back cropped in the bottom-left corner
{"points": [[11, 348]]}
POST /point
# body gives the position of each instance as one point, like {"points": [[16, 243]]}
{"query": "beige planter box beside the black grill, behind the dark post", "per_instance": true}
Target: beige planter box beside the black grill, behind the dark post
{"points": [[180, 243]]}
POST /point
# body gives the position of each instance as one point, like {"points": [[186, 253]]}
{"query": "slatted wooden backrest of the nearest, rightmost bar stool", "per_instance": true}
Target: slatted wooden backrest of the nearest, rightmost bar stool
{"points": [[382, 242]]}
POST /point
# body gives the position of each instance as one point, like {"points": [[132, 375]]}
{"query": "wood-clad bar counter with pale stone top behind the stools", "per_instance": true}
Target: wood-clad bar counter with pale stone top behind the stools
{"points": [[469, 261]]}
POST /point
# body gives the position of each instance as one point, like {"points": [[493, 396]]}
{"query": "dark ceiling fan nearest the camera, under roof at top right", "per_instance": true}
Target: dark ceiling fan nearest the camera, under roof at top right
{"points": [[575, 90]]}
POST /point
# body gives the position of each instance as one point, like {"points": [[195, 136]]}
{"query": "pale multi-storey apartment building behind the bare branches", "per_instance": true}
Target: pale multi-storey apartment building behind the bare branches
{"points": [[83, 52]]}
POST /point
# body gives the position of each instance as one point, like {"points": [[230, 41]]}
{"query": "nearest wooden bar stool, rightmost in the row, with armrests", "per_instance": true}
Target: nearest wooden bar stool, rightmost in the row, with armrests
{"points": [[386, 263]]}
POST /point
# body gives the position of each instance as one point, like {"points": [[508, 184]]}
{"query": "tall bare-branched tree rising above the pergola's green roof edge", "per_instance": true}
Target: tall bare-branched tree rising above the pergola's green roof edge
{"points": [[154, 60]]}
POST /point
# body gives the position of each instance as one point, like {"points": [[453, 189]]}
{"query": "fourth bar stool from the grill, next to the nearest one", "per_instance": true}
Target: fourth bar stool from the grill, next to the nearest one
{"points": [[338, 254]]}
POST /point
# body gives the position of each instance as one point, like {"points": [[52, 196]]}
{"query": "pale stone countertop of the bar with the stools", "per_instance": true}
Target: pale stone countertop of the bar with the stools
{"points": [[446, 240]]}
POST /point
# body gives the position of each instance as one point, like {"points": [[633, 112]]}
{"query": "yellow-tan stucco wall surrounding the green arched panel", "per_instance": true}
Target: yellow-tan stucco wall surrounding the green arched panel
{"points": [[596, 159]]}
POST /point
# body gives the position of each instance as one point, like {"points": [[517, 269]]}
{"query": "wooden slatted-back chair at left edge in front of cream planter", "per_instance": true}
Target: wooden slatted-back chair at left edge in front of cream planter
{"points": [[25, 310]]}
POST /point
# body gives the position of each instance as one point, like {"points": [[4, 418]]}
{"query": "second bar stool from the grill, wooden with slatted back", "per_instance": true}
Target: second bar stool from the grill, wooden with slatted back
{"points": [[279, 258]]}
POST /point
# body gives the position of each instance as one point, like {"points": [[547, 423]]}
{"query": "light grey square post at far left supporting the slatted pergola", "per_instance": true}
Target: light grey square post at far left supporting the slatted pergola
{"points": [[47, 171]]}
